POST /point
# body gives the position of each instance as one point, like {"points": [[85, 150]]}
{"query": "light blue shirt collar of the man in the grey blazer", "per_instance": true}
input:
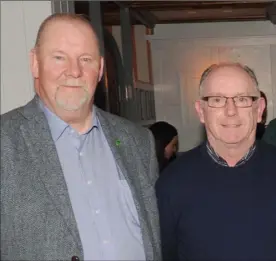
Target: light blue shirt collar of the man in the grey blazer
{"points": [[58, 126]]}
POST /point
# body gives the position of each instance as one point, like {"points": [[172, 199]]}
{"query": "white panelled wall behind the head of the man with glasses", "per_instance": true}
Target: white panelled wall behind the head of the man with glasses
{"points": [[181, 52]]}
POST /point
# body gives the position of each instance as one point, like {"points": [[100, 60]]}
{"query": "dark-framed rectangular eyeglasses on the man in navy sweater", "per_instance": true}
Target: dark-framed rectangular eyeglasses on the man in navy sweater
{"points": [[239, 101]]}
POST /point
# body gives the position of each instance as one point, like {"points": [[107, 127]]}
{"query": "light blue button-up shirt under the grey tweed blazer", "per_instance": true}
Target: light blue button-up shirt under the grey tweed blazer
{"points": [[101, 199]]}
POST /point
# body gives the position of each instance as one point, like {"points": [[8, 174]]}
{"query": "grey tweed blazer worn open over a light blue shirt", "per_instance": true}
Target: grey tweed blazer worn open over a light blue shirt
{"points": [[37, 219]]}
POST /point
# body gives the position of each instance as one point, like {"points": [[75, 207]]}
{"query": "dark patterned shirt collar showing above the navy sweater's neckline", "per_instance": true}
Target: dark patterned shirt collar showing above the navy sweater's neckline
{"points": [[219, 160]]}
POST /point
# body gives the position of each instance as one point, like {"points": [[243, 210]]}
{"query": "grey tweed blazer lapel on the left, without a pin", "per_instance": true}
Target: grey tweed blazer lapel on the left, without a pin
{"points": [[45, 158]]}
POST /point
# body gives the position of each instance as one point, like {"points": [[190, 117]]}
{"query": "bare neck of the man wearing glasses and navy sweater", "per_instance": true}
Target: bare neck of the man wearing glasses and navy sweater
{"points": [[232, 153]]}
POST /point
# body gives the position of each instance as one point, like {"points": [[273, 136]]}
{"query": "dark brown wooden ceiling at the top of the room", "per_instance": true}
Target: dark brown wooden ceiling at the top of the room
{"points": [[163, 12]]}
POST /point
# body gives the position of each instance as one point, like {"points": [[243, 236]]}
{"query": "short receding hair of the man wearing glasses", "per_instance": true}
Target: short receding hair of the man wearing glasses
{"points": [[211, 68]]}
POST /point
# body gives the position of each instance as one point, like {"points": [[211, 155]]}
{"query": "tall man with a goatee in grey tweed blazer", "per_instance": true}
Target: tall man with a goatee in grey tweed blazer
{"points": [[76, 182]]}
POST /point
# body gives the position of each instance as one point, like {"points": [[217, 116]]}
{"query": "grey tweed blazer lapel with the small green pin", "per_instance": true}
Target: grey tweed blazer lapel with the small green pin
{"points": [[120, 144]]}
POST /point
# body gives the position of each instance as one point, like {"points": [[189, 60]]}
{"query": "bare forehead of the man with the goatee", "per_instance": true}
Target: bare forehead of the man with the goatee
{"points": [[68, 34]]}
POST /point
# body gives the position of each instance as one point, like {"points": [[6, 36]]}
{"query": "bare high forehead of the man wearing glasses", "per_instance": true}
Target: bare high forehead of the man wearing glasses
{"points": [[229, 81]]}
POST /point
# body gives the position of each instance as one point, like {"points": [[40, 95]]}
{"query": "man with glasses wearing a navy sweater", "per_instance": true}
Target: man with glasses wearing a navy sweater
{"points": [[217, 202]]}
